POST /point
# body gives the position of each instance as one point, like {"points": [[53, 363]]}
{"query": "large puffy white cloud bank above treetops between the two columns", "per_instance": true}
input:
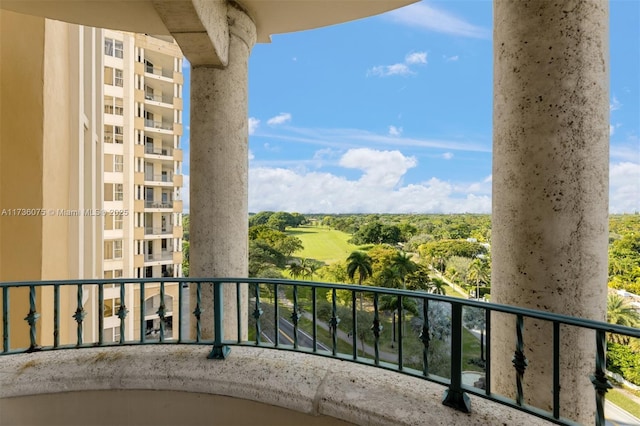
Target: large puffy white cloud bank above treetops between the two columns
{"points": [[378, 189]]}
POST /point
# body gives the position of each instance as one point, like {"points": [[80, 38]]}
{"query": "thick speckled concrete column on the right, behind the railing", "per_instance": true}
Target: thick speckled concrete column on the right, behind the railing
{"points": [[550, 190]]}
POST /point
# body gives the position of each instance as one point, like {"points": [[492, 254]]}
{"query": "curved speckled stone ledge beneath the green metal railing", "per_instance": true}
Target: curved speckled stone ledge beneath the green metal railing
{"points": [[142, 384]]}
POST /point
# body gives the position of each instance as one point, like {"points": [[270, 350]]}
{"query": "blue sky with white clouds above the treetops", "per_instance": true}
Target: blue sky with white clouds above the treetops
{"points": [[393, 114]]}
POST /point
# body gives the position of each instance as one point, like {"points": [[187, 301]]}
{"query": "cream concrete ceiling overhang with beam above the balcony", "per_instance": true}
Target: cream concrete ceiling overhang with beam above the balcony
{"points": [[200, 26]]}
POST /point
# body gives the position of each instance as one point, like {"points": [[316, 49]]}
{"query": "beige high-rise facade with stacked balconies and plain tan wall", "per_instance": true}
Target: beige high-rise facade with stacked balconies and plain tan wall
{"points": [[93, 190]]}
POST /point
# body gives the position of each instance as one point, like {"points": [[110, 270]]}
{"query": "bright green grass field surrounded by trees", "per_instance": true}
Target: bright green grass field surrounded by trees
{"points": [[323, 244]]}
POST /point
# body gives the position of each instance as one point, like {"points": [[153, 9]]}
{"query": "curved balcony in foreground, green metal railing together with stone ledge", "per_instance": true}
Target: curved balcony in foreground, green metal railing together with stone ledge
{"points": [[272, 356]]}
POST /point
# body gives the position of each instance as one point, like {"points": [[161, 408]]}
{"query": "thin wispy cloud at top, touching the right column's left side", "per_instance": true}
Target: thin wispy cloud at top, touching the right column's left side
{"points": [[427, 17]]}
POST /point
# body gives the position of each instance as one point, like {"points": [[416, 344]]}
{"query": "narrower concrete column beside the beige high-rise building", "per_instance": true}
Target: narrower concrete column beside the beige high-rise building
{"points": [[219, 172]]}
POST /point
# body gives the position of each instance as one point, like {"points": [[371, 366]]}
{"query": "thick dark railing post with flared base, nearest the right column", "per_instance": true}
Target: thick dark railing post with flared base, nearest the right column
{"points": [[454, 396]]}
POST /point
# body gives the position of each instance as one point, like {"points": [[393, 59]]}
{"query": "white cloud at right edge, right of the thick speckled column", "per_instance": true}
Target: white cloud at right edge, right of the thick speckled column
{"points": [[624, 187]]}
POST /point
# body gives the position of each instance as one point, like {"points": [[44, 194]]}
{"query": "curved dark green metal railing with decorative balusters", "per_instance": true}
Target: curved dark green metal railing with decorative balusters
{"points": [[456, 394]]}
